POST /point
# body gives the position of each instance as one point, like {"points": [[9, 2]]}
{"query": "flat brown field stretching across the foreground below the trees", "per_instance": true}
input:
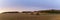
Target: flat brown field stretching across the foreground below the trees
{"points": [[20, 16]]}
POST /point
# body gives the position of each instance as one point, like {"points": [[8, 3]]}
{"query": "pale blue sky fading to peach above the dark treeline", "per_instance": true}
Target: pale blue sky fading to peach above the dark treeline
{"points": [[28, 5]]}
